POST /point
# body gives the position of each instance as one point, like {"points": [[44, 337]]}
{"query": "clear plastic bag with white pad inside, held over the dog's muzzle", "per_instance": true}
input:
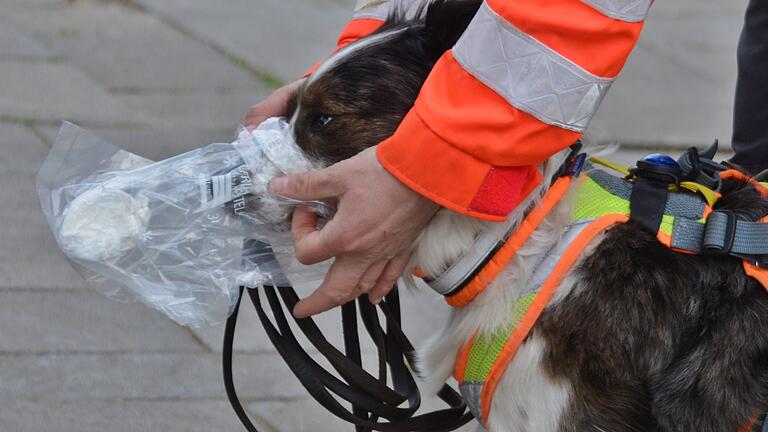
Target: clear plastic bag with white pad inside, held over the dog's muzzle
{"points": [[172, 233]]}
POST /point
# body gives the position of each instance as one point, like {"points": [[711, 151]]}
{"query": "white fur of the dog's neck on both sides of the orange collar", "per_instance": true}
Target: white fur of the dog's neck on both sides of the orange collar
{"points": [[448, 238]]}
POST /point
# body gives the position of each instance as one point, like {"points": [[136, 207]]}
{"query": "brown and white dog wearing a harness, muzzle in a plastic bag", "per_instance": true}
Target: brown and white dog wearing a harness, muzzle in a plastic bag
{"points": [[637, 337]]}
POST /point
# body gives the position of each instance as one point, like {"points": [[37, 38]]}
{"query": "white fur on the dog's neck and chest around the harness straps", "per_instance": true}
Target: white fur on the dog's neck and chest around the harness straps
{"points": [[527, 398]]}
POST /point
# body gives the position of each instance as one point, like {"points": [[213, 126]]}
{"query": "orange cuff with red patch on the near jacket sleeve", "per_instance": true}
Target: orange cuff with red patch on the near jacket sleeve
{"points": [[431, 166]]}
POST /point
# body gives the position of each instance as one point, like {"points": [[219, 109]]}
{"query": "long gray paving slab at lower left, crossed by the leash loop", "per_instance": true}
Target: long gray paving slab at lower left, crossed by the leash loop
{"points": [[73, 377]]}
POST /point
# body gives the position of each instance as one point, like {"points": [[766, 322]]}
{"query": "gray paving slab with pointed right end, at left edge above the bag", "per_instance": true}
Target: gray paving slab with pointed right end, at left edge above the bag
{"points": [[51, 92]]}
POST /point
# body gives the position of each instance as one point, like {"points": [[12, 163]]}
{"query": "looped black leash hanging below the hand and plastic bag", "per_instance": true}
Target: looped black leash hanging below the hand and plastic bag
{"points": [[370, 397]]}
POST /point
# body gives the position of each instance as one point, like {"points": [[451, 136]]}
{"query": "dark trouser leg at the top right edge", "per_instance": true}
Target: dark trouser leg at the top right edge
{"points": [[750, 125]]}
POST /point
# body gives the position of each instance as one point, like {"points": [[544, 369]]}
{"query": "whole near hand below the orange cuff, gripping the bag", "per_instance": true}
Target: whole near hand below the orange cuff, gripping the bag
{"points": [[371, 235]]}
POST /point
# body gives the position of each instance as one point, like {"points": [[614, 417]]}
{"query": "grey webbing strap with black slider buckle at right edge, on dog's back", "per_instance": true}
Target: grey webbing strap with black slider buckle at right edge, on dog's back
{"points": [[721, 233]]}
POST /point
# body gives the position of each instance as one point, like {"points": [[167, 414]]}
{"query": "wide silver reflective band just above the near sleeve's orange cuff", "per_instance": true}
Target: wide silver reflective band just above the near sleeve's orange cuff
{"points": [[528, 74]]}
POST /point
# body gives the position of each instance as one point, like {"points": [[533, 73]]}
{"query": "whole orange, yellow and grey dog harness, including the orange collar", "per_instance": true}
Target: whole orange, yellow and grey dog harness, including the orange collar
{"points": [[681, 215]]}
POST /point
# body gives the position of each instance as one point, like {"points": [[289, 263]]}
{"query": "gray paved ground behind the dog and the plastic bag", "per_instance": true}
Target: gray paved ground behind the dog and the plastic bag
{"points": [[159, 77]]}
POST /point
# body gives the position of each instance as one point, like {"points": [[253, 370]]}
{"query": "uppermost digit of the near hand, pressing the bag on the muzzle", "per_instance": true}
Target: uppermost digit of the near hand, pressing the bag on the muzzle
{"points": [[310, 185]]}
